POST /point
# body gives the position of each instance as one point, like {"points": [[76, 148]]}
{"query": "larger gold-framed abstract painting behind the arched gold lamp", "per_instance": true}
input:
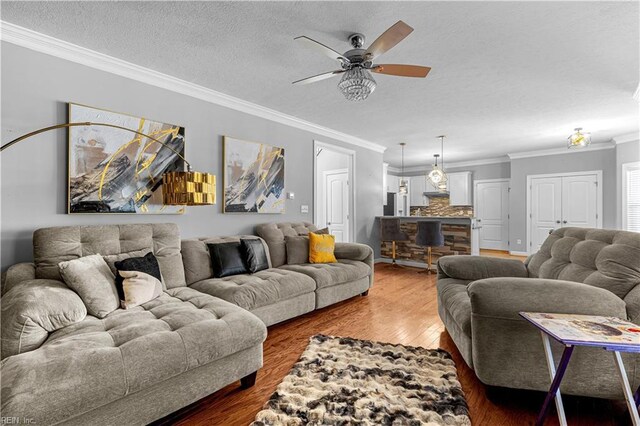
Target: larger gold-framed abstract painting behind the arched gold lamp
{"points": [[116, 171]]}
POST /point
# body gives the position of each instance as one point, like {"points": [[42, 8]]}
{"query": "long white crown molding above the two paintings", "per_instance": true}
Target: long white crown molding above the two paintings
{"points": [[43, 43]]}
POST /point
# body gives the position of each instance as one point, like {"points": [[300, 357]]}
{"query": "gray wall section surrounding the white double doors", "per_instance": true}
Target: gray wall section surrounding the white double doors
{"points": [[604, 160]]}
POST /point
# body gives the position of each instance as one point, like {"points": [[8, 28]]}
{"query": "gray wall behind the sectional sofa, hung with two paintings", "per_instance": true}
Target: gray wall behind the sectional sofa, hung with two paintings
{"points": [[35, 90]]}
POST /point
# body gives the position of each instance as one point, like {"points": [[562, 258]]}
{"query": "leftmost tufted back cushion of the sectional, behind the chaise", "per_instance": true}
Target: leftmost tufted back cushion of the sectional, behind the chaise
{"points": [[54, 245]]}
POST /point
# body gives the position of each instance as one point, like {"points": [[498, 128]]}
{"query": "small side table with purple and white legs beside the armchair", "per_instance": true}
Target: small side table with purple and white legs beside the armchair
{"points": [[609, 333]]}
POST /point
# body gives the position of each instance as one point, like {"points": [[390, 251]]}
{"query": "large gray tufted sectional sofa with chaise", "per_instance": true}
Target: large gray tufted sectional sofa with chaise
{"points": [[141, 364]]}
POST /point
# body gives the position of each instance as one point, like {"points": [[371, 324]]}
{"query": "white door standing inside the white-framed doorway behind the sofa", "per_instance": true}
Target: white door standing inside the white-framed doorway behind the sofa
{"points": [[337, 203]]}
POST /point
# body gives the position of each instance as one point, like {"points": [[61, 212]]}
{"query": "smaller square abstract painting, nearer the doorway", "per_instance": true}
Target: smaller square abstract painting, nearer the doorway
{"points": [[253, 177]]}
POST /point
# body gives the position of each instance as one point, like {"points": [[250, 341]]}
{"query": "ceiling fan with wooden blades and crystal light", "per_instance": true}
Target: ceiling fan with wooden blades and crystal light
{"points": [[357, 83]]}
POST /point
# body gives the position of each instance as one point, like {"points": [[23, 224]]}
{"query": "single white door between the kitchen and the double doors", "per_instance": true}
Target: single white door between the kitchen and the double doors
{"points": [[492, 212]]}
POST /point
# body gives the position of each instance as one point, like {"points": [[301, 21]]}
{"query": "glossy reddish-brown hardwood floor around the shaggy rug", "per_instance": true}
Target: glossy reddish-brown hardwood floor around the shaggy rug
{"points": [[400, 308]]}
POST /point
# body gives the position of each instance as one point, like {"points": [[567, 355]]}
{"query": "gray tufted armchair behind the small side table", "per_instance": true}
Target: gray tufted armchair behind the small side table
{"points": [[577, 270]]}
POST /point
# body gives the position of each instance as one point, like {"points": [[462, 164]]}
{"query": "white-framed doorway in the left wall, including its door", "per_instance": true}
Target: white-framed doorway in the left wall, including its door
{"points": [[334, 195]]}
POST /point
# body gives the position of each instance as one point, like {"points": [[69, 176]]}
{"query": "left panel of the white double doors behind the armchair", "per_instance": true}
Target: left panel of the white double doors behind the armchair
{"points": [[546, 209]]}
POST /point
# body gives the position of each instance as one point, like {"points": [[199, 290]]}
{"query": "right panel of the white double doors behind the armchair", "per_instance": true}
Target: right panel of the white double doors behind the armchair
{"points": [[579, 201]]}
